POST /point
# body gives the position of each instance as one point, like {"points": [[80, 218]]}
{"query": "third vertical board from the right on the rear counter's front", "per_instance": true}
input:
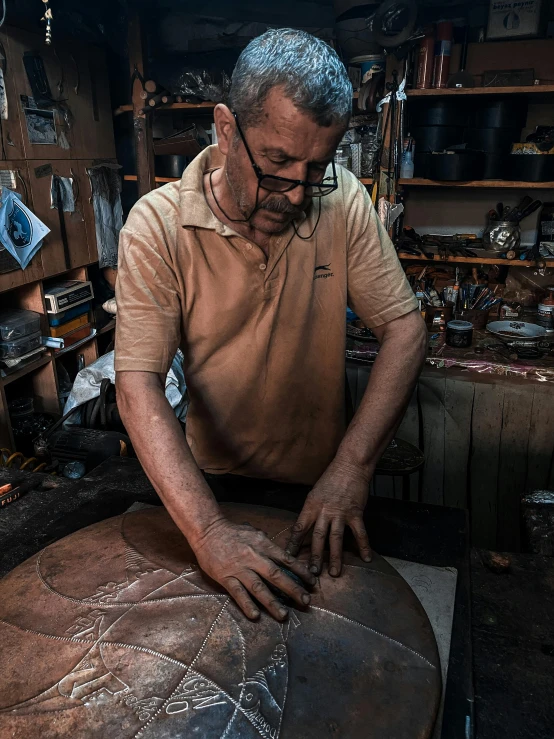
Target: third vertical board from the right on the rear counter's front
{"points": [[485, 453]]}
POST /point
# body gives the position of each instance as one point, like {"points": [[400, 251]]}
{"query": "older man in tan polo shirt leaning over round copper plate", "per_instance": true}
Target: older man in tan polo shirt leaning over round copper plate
{"points": [[248, 264]]}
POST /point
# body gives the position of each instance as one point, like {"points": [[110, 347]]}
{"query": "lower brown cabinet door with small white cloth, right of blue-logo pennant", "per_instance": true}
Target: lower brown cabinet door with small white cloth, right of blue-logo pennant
{"points": [[54, 259]]}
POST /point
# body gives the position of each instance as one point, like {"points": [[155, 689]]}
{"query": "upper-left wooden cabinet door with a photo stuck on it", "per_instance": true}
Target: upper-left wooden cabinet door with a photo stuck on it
{"points": [[51, 124]]}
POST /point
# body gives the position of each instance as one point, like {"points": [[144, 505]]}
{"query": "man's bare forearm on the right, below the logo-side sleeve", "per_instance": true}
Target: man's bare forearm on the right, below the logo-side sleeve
{"points": [[391, 383]]}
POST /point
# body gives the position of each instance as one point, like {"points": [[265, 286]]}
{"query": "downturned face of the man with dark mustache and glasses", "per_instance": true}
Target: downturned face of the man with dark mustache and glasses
{"points": [[286, 143]]}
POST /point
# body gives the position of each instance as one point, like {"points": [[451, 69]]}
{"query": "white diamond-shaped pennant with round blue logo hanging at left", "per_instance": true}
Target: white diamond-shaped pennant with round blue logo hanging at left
{"points": [[21, 232]]}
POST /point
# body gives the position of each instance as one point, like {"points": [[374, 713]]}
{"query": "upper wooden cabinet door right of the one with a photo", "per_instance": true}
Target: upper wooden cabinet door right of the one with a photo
{"points": [[91, 105]]}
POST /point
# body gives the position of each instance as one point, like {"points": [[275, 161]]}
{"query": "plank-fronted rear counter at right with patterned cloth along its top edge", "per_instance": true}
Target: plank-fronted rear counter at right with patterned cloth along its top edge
{"points": [[483, 422]]}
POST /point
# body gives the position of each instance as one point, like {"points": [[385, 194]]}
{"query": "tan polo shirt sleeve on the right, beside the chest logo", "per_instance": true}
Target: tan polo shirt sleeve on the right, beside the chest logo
{"points": [[378, 291]]}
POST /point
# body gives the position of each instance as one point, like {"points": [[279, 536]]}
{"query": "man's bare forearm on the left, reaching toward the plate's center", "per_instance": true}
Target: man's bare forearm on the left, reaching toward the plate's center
{"points": [[164, 454]]}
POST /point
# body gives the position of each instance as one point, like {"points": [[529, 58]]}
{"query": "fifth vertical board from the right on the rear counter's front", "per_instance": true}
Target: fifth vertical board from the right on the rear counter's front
{"points": [[431, 394]]}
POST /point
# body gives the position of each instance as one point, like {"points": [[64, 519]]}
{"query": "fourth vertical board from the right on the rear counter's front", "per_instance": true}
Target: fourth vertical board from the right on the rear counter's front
{"points": [[458, 406]]}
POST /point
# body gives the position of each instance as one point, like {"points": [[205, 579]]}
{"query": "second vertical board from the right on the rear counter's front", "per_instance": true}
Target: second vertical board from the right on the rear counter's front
{"points": [[512, 473]]}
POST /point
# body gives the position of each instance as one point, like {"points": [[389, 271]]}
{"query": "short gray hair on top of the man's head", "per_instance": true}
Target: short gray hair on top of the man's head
{"points": [[308, 69]]}
